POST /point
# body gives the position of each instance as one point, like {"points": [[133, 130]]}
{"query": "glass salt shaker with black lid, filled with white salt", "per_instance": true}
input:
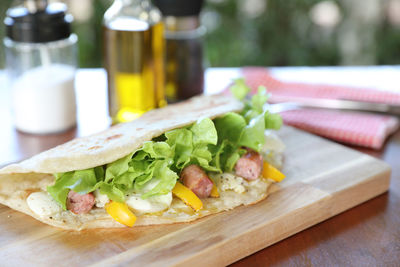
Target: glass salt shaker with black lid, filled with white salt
{"points": [[41, 59]]}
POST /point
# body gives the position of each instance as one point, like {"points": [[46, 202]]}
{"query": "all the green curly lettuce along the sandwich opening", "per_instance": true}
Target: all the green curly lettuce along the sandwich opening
{"points": [[215, 145]]}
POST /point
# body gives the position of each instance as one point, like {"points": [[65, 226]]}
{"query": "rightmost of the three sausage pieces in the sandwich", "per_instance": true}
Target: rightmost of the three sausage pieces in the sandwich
{"points": [[249, 166]]}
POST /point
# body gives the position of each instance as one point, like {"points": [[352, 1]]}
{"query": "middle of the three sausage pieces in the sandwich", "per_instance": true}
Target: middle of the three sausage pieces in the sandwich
{"points": [[196, 180]]}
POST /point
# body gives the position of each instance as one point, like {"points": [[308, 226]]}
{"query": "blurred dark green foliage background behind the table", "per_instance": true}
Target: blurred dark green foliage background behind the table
{"points": [[270, 32]]}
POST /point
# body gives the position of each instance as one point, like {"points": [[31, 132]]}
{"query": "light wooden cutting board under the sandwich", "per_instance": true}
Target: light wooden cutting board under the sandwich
{"points": [[323, 179]]}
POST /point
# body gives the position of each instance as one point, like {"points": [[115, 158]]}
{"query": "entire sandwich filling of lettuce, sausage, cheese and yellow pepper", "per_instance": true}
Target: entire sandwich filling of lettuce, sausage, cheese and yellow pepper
{"points": [[179, 172]]}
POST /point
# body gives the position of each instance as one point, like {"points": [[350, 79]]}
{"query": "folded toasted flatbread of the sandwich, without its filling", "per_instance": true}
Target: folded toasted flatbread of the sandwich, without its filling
{"points": [[18, 181]]}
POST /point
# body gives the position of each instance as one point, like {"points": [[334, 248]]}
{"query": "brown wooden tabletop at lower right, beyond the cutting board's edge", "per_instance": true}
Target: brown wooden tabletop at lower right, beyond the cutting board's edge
{"points": [[367, 235]]}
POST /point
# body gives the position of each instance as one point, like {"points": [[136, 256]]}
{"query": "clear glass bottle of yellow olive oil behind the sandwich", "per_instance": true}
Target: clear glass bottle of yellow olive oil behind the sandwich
{"points": [[133, 58]]}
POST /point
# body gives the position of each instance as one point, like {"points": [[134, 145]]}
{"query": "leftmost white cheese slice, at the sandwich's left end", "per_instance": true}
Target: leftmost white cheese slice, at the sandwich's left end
{"points": [[42, 204]]}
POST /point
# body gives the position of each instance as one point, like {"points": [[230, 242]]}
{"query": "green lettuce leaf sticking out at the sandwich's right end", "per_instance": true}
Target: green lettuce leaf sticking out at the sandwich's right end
{"points": [[244, 129]]}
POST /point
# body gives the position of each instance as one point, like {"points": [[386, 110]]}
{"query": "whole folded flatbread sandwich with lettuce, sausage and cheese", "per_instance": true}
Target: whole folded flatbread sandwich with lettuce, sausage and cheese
{"points": [[175, 164]]}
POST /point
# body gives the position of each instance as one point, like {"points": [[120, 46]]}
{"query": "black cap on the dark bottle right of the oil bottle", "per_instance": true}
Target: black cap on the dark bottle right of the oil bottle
{"points": [[179, 8]]}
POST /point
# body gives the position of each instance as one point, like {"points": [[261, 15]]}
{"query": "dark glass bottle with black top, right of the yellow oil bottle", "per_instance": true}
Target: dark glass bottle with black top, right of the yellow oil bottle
{"points": [[184, 48]]}
